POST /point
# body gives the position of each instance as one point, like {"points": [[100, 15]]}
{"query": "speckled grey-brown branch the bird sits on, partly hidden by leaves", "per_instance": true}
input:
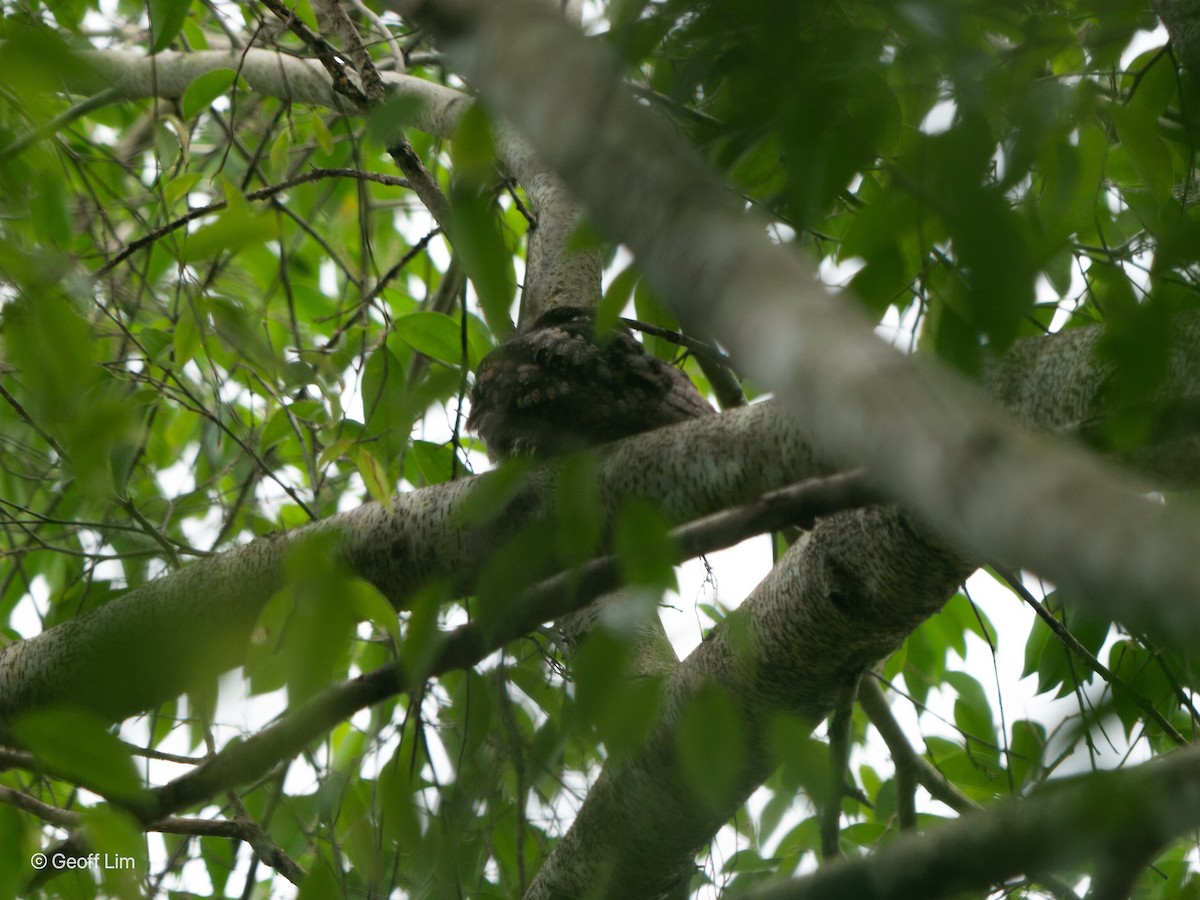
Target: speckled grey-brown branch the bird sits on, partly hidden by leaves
{"points": [[173, 634]]}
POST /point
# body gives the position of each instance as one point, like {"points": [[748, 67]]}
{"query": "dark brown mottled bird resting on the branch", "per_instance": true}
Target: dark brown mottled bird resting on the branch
{"points": [[556, 388]]}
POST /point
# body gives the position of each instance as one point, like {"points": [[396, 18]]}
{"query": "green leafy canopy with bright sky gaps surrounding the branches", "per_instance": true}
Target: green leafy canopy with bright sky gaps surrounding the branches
{"points": [[227, 315]]}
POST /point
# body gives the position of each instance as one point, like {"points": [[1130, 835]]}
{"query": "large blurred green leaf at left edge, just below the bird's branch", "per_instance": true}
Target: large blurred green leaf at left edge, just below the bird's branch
{"points": [[79, 746]]}
